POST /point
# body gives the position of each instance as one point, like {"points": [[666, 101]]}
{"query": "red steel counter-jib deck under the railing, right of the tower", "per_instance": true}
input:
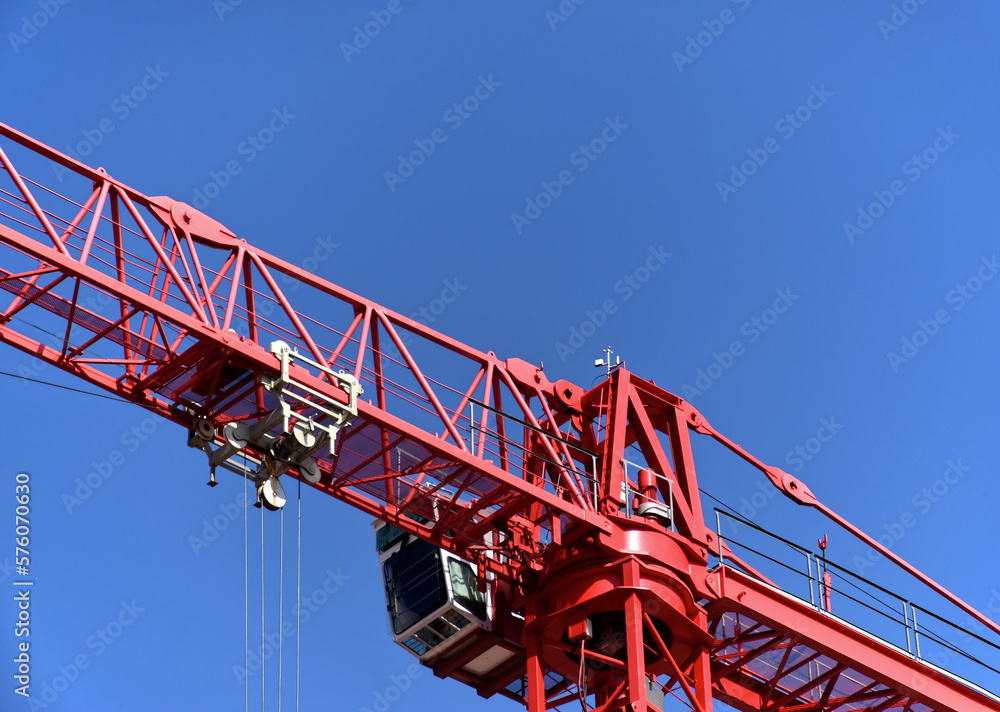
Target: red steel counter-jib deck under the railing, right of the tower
{"points": [[774, 652]]}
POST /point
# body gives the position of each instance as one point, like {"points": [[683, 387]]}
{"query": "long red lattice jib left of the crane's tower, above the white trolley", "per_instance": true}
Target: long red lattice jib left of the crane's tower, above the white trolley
{"points": [[154, 301]]}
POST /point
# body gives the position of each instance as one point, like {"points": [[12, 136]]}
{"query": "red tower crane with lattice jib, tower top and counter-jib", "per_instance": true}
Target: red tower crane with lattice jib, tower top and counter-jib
{"points": [[580, 509]]}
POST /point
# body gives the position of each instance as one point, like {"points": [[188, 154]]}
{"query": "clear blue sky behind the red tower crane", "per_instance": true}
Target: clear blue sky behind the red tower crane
{"points": [[808, 189]]}
